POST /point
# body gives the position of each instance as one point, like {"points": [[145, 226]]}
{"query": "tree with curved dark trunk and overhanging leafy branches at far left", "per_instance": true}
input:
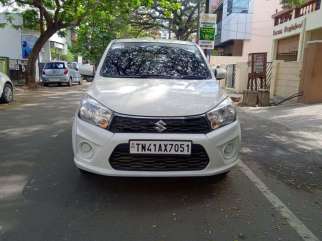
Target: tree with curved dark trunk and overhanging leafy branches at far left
{"points": [[51, 16]]}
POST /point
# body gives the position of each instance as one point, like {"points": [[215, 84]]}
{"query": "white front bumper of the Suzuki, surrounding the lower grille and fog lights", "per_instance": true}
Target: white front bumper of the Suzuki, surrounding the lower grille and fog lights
{"points": [[103, 142]]}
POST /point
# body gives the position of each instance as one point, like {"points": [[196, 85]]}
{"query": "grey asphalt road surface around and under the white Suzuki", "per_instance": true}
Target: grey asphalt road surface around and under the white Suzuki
{"points": [[43, 197]]}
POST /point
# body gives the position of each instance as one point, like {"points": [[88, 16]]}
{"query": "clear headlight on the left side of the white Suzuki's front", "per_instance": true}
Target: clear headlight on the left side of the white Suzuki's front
{"points": [[95, 113]]}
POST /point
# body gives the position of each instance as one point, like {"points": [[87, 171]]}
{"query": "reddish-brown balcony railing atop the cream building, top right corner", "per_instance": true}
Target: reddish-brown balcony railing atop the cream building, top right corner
{"points": [[287, 15]]}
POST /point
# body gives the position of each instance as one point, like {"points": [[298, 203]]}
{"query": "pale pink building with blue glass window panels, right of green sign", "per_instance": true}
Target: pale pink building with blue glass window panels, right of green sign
{"points": [[243, 27]]}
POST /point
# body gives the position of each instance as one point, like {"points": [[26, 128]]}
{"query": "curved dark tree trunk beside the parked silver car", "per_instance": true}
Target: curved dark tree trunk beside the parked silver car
{"points": [[30, 69]]}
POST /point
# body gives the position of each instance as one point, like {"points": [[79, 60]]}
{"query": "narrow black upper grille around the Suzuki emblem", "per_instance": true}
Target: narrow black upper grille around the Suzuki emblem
{"points": [[189, 125]]}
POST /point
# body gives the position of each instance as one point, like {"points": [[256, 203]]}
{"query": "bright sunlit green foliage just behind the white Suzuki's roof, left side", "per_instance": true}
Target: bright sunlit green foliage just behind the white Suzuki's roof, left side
{"points": [[97, 30]]}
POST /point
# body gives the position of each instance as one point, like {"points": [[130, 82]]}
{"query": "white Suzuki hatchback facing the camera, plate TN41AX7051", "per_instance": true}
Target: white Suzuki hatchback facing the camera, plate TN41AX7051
{"points": [[155, 109]]}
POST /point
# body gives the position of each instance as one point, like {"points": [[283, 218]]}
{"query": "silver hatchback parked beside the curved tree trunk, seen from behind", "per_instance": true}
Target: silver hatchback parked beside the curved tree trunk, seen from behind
{"points": [[61, 72]]}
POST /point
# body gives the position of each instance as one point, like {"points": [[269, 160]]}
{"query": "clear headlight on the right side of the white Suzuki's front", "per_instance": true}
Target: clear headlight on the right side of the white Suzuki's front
{"points": [[223, 114]]}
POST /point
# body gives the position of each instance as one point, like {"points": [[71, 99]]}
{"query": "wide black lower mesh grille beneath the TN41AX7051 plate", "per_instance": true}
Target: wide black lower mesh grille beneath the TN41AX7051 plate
{"points": [[122, 160]]}
